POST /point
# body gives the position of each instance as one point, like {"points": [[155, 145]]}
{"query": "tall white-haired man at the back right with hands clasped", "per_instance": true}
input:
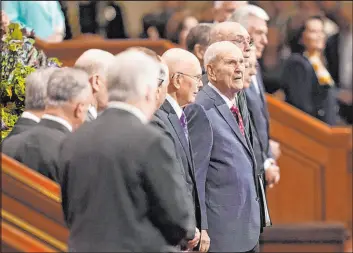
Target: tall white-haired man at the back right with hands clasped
{"points": [[254, 19]]}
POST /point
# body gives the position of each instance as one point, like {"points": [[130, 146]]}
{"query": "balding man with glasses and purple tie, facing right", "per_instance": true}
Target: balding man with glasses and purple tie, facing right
{"points": [[184, 82]]}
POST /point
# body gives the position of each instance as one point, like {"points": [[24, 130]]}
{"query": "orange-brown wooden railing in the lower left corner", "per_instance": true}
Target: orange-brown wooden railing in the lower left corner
{"points": [[31, 214]]}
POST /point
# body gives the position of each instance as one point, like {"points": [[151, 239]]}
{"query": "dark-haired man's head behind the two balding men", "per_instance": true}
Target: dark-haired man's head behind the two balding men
{"points": [[197, 41]]}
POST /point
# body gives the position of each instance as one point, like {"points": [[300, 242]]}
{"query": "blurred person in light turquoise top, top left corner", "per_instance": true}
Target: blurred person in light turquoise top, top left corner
{"points": [[44, 17]]}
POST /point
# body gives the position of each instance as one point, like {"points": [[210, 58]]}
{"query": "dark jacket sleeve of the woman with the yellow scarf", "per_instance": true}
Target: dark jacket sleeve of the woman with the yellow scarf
{"points": [[297, 84]]}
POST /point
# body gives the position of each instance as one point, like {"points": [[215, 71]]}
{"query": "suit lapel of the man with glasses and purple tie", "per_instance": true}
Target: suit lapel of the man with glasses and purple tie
{"points": [[175, 122]]}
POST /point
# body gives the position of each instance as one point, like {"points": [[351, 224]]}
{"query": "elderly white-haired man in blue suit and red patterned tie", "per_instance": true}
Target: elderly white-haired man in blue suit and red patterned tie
{"points": [[226, 169]]}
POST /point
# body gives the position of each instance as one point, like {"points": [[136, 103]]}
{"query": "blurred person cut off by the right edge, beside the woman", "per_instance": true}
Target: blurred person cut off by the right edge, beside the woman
{"points": [[338, 54]]}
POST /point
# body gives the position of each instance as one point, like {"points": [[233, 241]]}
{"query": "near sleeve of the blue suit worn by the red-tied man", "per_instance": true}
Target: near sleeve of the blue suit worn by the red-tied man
{"points": [[201, 138]]}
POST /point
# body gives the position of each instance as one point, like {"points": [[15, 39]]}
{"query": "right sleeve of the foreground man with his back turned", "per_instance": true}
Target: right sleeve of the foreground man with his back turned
{"points": [[171, 209]]}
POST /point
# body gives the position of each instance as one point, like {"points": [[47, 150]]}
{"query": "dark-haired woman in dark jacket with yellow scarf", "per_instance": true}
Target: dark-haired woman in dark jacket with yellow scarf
{"points": [[307, 83]]}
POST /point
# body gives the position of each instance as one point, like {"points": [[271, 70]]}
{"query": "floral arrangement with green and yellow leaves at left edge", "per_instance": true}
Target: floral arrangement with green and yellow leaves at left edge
{"points": [[19, 58]]}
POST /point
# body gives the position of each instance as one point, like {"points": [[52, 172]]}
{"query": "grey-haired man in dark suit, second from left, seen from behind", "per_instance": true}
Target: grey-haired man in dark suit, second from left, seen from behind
{"points": [[68, 97]]}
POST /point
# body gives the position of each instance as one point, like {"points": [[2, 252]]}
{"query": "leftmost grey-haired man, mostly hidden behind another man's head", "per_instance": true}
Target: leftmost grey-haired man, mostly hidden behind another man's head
{"points": [[36, 93]]}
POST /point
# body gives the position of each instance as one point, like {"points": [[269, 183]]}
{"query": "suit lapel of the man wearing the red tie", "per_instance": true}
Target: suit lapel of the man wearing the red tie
{"points": [[224, 110]]}
